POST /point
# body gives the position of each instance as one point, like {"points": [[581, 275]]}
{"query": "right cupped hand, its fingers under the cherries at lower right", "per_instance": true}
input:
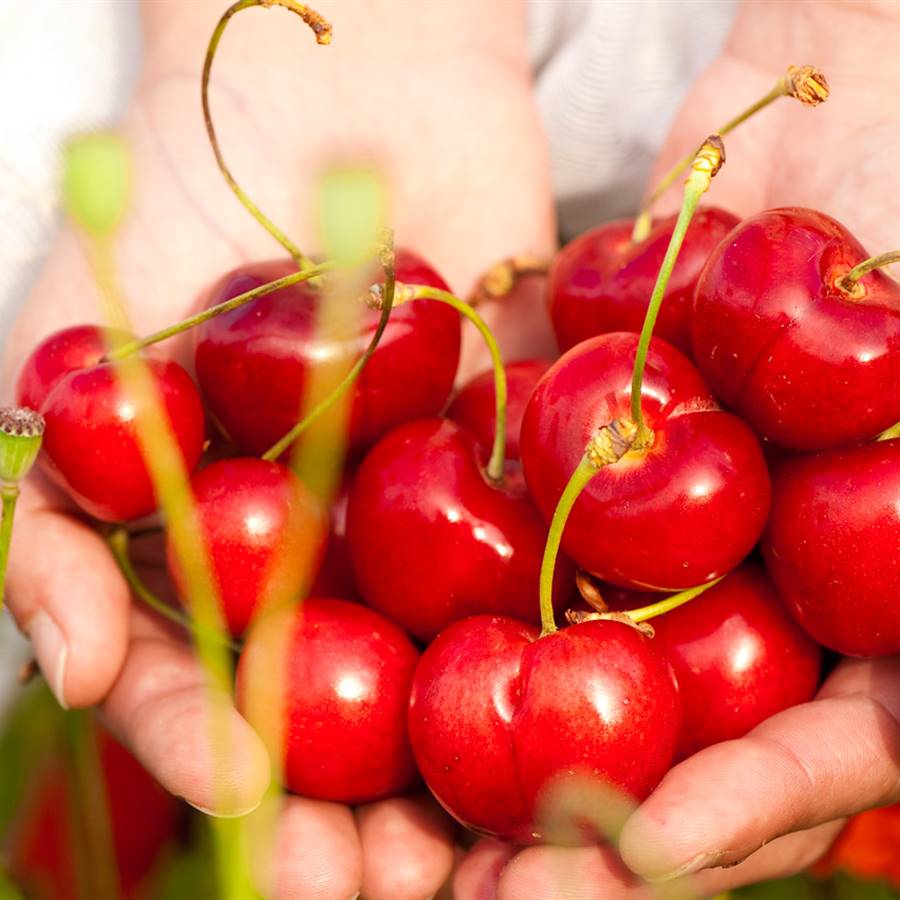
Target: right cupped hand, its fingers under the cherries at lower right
{"points": [[769, 804]]}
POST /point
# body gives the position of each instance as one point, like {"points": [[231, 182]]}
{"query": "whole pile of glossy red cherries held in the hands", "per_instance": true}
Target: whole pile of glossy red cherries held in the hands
{"points": [[427, 641]]}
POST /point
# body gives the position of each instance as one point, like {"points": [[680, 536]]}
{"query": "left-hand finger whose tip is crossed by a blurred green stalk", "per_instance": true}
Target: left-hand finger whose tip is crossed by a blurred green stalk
{"points": [[186, 734]]}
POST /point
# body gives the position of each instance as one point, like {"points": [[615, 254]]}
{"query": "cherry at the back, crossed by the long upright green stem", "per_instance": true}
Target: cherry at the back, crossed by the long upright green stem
{"points": [[601, 282]]}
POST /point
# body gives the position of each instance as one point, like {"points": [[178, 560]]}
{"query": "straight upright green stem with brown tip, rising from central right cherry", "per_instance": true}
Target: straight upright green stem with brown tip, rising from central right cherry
{"points": [[707, 162]]}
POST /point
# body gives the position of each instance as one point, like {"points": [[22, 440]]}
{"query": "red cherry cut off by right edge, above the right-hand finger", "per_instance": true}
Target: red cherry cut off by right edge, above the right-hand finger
{"points": [[832, 546]]}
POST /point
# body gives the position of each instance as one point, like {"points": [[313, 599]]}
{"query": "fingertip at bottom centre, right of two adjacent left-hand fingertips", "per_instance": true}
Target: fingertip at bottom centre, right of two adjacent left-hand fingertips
{"points": [[407, 848]]}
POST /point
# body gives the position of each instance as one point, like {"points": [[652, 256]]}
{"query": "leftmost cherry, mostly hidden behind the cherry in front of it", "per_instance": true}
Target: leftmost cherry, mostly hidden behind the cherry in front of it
{"points": [[78, 347]]}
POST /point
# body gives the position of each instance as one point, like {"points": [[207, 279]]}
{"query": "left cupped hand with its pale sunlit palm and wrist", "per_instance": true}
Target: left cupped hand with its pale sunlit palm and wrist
{"points": [[444, 154]]}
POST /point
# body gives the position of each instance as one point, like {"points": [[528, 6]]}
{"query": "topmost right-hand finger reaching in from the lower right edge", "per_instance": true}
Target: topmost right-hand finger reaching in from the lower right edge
{"points": [[808, 765]]}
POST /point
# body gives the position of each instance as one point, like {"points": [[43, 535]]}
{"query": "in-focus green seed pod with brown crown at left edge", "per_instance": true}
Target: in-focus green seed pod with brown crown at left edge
{"points": [[21, 434]]}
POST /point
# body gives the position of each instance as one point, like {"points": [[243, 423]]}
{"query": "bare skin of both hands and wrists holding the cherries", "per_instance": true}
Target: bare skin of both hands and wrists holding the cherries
{"points": [[791, 782]]}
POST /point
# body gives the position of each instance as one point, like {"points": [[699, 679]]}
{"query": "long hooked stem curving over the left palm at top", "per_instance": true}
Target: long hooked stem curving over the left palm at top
{"points": [[322, 31]]}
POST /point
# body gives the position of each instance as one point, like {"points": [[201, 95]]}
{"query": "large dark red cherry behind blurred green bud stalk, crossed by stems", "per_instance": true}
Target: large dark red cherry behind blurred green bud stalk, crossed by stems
{"points": [[253, 364]]}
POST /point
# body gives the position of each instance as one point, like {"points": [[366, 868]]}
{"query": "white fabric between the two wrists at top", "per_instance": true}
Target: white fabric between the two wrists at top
{"points": [[610, 75]]}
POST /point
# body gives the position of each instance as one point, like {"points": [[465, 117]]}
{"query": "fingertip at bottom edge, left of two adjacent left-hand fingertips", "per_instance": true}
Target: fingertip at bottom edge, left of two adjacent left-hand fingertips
{"points": [[316, 852]]}
